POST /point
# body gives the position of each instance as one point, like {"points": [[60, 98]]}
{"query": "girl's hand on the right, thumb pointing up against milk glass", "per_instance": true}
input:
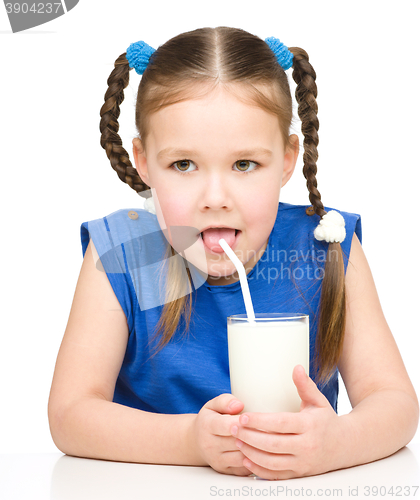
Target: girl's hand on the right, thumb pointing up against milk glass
{"points": [[288, 445]]}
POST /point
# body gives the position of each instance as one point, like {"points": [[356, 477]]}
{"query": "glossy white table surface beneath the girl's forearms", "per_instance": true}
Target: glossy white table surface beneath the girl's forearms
{"points": [[56, 476]]}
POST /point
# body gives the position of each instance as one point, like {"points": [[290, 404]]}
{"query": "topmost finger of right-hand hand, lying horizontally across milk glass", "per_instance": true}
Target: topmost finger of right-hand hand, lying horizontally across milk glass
{"points": [[282, 423]]}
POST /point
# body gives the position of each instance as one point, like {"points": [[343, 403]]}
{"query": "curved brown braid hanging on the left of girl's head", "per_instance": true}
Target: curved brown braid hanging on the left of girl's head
{"points": [[109, 126]]}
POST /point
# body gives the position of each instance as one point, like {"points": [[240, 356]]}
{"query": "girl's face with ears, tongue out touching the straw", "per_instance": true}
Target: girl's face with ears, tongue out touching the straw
{"points": [[217, 162]]}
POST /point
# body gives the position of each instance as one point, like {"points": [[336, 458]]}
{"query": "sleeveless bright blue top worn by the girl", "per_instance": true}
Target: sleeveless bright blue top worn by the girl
{"points": [[194, 367]]}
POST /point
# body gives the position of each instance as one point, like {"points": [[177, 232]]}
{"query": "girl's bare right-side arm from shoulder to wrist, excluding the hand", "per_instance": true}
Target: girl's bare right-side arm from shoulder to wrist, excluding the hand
{"points": [[385, 407]]}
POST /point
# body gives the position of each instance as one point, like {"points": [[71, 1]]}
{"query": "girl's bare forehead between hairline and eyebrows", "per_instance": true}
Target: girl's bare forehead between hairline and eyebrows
{"points": [[218, 119]]}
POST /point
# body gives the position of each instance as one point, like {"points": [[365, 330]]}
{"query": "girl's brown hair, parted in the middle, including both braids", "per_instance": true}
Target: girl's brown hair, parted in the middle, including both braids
{"points": [[193, 63]]}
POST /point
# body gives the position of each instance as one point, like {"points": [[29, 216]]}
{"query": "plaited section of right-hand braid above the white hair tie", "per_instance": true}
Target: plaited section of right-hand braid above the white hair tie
{"points": [[306, 92]]}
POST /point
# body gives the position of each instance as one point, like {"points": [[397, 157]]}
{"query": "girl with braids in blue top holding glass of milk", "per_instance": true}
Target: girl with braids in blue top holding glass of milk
{"points": [[142, 373]]}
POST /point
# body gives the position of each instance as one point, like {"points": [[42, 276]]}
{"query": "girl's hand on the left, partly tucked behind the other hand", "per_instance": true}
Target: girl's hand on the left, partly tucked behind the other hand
{"points": [[212, 435]]}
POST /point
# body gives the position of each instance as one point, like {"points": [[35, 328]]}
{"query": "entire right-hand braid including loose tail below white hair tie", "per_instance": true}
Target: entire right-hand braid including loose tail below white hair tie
{"points": [[332, 314]]}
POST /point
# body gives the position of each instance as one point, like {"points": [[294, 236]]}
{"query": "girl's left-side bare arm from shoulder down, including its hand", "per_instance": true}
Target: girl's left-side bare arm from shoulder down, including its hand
{"points": [[83, 419]]}
